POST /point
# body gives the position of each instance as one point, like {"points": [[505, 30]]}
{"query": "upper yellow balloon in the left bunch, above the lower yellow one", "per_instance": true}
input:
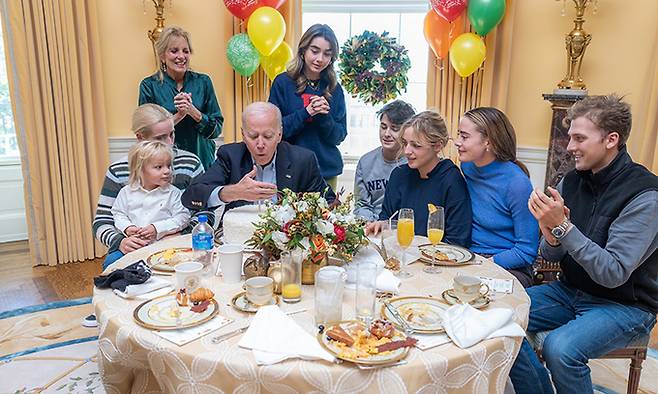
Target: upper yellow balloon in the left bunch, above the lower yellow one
{"points": [[266, 29]]}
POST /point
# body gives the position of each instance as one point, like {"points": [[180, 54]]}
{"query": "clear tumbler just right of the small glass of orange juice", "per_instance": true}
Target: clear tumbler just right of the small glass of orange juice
{"points": [[329, 288]]}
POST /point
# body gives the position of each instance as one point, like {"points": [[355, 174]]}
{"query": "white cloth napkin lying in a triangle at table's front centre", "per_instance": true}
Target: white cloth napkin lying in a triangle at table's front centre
{"points": [[274, 336]]}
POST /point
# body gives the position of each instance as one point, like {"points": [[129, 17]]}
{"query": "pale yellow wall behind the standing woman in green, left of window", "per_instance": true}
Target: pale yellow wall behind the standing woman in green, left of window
{"points": [[127, 55]]}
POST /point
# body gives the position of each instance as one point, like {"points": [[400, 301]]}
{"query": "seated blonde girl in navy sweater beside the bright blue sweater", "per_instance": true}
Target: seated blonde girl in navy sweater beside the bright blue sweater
{"points": [[428, 178]]}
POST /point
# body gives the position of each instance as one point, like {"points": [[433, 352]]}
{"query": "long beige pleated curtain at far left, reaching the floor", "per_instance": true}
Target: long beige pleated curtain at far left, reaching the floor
{"points": [[57, 96]]}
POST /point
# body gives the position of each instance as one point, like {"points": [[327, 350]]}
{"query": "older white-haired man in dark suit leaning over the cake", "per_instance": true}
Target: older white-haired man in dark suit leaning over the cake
{"points": [[256, 168]]}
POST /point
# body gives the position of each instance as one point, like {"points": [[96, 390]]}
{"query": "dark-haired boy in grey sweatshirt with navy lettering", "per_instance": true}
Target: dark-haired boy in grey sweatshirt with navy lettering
{"points": [[374, 168]]}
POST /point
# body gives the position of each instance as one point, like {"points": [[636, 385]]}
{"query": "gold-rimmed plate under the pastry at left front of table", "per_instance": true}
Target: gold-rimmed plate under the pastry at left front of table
{"points": [[160, 314]]}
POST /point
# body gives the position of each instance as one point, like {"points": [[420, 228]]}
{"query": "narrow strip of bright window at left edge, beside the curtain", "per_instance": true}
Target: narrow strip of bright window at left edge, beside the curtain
{"points": [[8, 142]]}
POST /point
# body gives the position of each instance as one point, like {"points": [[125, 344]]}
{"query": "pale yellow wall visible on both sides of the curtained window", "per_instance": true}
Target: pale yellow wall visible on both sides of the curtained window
{"points": [[617, 59]]}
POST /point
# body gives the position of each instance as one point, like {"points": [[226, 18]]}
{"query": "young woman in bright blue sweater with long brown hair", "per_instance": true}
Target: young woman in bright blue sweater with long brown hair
{"points": [[499, 187]]}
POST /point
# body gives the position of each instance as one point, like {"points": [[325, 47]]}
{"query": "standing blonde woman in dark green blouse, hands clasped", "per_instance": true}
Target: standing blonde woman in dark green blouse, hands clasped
{"points": [[189, 95]]}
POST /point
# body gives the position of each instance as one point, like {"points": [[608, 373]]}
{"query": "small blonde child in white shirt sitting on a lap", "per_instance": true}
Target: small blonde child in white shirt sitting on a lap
{"points": [[149, 206]]}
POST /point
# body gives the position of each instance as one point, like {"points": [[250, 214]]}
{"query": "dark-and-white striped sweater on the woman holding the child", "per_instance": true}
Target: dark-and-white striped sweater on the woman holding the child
{"points": [[186, 167]]}
